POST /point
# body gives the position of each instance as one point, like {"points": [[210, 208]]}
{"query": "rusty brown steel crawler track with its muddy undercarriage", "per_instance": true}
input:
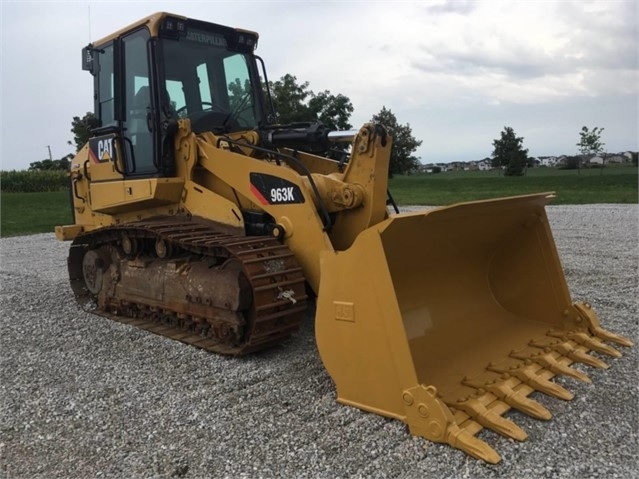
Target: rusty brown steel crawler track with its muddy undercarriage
{"points": [[188, 281]]}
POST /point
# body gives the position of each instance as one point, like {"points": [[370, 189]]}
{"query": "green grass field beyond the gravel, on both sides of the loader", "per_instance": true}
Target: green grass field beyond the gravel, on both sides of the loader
{"points": [[27, 213]]}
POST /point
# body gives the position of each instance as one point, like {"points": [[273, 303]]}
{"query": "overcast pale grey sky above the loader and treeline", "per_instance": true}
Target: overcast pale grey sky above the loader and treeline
{"points": [[457, 71]]}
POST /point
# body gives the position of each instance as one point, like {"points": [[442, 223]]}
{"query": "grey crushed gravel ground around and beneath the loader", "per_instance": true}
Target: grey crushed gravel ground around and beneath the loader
{"points": [[82, 396]]}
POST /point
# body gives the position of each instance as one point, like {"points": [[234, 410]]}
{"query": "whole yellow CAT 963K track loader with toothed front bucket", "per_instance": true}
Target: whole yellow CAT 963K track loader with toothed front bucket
{"points": [[197, 217]]}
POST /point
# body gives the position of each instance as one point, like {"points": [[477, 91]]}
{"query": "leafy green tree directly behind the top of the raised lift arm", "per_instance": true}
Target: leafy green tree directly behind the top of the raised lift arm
{"points": [[404, 143]]}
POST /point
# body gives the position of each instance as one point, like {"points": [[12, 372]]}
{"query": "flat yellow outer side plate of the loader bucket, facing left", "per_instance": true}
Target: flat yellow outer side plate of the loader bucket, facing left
{"points": [[359, 330]]}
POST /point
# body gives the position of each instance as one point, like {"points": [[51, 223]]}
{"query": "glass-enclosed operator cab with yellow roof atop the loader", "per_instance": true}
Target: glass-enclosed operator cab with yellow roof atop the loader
{"points": [[165, 68]]}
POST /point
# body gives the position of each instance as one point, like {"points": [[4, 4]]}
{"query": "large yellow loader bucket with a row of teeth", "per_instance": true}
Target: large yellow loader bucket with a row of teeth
{"points": [[447, 318]]}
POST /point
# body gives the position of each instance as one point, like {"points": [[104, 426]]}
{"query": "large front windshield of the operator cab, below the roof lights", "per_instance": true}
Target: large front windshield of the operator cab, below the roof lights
{"points": [[209, 84]]}
